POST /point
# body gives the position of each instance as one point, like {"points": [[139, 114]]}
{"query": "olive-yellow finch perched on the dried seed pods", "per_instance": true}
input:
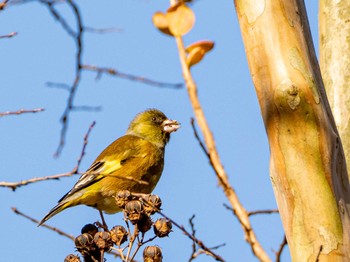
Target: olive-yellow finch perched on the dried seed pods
{"points": [[138, 155]]}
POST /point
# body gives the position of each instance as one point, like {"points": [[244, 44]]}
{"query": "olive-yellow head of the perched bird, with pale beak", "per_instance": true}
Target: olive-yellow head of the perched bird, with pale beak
{"points": [[153, 126]]}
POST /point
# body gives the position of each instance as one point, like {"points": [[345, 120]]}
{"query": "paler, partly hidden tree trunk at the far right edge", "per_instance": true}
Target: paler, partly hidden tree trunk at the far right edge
{"points": [[334, 17]]}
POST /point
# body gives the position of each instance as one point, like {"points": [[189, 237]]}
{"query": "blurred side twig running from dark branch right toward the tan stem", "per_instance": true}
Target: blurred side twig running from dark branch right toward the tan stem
{"points": [[113, 72]]}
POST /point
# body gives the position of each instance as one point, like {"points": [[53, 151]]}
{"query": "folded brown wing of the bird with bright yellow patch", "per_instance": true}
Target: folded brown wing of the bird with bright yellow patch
{"points": [[121, 151]]}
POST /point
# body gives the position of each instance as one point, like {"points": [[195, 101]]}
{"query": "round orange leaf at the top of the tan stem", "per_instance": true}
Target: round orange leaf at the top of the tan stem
{"points": [[180, 19]]}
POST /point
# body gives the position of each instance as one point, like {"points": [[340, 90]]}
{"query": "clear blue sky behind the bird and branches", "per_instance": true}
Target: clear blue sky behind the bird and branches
{"points": [[42, 52]]}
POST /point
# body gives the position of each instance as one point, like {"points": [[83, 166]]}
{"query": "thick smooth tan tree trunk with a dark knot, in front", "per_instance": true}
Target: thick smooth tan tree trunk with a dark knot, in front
{"points": [[307, 164]]}
